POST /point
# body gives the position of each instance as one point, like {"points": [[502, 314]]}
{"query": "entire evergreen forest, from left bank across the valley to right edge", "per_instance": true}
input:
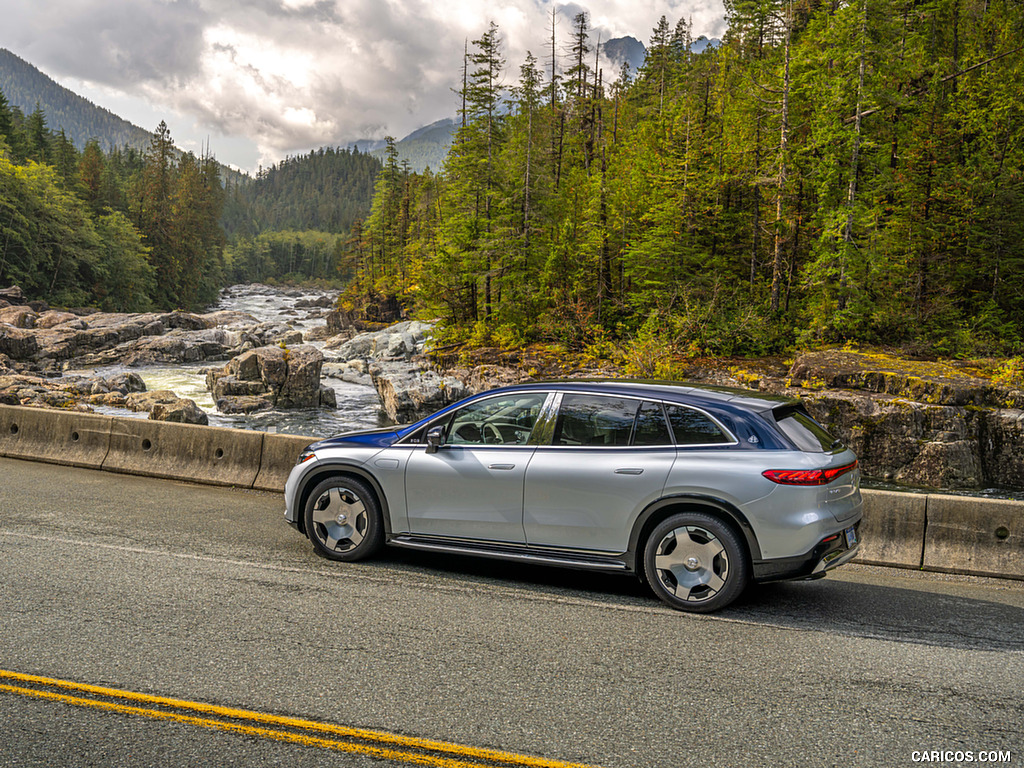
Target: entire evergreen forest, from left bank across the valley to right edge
{"points": [[830, 174]]}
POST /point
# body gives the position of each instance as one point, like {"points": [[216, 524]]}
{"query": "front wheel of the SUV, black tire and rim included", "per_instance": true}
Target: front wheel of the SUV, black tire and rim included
{"points": [[344, 520]]}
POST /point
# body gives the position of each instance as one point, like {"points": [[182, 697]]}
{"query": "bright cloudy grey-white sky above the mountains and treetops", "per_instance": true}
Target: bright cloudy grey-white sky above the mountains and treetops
{"points": [[264, 79]]}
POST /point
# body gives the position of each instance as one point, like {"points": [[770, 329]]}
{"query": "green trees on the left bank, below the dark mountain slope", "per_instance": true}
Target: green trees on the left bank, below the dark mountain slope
{"points": [[121, 232]]}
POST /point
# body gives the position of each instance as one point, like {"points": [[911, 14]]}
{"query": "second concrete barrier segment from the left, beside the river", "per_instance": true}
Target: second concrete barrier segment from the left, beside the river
{"points": [[185, 452]]}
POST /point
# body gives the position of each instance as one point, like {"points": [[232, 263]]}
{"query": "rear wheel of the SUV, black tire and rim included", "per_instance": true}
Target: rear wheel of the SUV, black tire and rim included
{"points": [[696, 563]]}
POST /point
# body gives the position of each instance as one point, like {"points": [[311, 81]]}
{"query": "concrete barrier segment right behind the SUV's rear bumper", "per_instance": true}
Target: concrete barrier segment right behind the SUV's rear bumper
{"points": [[892, 532]]}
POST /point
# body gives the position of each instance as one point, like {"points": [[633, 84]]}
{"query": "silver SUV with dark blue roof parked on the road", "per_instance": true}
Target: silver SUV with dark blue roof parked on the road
{"points": [[698, 491]]}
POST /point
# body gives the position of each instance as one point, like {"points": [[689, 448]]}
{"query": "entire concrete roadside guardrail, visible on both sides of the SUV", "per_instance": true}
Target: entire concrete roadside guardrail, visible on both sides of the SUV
{"points": [[952, 534]]}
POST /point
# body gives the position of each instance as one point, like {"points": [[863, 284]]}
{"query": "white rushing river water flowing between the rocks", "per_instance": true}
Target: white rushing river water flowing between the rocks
{"points": [[358, 406]]}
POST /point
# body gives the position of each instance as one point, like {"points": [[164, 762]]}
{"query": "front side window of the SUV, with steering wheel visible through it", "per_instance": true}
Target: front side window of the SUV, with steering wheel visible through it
{"points": [[496, 421]]}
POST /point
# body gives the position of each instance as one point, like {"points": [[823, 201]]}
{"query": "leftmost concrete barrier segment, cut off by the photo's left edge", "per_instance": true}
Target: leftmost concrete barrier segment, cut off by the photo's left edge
{"points": [[55, 437]]}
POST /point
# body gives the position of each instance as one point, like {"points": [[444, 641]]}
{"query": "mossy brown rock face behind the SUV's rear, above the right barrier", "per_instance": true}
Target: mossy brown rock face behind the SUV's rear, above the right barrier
{"points": [[917, 423]]}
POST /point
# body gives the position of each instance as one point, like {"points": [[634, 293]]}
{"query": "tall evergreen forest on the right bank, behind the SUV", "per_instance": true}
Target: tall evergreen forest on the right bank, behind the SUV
{"points": [[833, 173]]}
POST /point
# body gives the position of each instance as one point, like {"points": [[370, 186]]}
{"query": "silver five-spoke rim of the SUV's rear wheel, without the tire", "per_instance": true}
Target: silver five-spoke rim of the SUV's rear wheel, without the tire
{"points": [[692, 564]]}
